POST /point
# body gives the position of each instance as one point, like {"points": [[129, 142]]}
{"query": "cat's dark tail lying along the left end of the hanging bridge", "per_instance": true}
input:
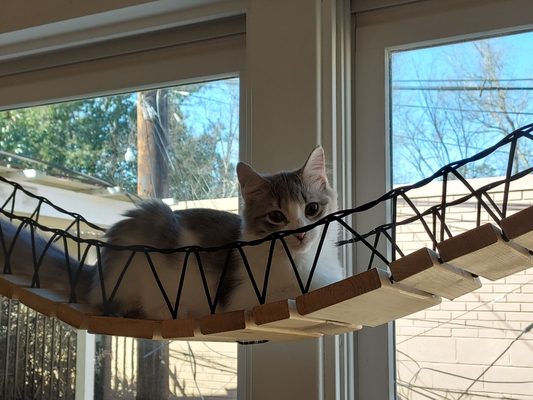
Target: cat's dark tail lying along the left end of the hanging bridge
{"points": [[39, 259]]}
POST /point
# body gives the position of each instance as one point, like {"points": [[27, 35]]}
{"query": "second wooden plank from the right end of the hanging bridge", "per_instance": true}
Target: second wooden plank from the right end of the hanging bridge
{"points": [[482, 251]]}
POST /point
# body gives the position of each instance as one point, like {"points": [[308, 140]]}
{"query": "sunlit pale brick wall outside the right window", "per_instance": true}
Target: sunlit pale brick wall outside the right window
{"points": [[473, 347]]}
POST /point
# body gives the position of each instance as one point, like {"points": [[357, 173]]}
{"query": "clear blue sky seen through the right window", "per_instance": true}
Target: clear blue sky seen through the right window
{"points": [[436, 94]]}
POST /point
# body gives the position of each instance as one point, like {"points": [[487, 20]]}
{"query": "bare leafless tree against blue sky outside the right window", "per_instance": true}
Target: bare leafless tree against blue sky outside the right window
{"points": [[439, 119]]}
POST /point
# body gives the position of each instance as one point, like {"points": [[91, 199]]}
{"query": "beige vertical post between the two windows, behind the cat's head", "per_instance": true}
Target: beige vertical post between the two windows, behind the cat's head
{"points": [[298, 83]]}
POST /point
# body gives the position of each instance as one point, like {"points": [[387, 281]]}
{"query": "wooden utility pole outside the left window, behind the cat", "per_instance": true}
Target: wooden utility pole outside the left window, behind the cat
{"points": [[152, 181]]}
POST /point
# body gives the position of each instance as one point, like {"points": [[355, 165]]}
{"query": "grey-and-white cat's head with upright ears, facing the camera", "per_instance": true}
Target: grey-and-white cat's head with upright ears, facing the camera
{"points": [[287, 200]]}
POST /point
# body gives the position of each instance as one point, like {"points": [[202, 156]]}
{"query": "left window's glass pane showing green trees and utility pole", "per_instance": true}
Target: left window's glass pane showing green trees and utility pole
{"points": [[178, 143]]}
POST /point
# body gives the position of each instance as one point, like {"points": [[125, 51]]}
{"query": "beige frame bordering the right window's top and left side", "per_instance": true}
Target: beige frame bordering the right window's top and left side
{"points": [[381, 27]]}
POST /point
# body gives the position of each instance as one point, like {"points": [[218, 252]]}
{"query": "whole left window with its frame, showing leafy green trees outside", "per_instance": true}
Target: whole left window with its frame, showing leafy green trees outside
{"points": [[206, 59]]}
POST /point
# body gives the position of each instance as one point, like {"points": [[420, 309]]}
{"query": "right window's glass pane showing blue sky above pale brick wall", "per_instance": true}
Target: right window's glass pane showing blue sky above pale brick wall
{"points": [[448, 103]]}
